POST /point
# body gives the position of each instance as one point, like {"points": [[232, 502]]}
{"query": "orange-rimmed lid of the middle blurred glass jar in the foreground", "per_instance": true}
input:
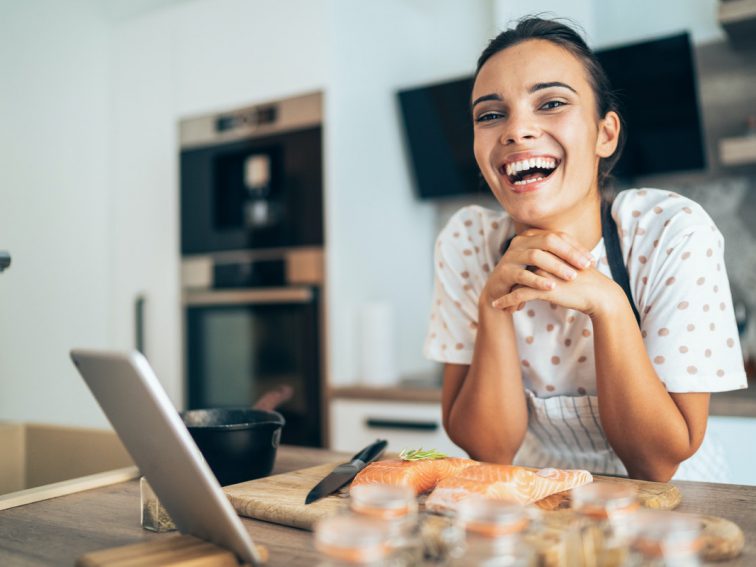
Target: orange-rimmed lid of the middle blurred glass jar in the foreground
{"points": [[492, 518]]}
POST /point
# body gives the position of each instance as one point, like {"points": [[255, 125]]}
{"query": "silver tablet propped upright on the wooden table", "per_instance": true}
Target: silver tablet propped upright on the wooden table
{"points": [[153, 433]]}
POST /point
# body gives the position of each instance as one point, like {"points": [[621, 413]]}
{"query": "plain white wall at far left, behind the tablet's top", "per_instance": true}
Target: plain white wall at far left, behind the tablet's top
{"points": [[54, 205]]}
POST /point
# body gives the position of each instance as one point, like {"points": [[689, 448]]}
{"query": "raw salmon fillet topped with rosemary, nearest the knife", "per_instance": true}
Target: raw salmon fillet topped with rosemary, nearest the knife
{"points": [[421, 475]]}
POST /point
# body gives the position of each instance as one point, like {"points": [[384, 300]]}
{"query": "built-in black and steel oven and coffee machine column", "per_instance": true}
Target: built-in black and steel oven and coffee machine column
{"points": [[252, 266]]}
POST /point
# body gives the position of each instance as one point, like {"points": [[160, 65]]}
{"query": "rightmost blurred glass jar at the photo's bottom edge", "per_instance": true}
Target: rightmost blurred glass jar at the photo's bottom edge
{"points": [[666, 539]]}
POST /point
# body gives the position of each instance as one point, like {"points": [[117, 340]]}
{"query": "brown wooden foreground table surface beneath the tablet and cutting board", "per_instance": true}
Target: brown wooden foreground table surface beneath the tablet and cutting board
{"points": [[57, 531]]}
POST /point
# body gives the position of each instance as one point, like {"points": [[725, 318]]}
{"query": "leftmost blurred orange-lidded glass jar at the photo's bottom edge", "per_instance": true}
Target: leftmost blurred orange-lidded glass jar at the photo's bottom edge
{"points": [[349, 540]]}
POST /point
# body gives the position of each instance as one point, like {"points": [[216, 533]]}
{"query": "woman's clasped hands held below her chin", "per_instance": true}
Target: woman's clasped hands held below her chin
{"points": [[546, 265]]}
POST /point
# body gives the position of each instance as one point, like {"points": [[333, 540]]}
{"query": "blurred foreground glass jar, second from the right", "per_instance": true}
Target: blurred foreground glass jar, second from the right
{"points": [[604, 525]]}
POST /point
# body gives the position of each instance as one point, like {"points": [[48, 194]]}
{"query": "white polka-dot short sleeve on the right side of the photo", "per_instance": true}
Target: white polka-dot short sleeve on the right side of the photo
{"points": [[687, 316]]}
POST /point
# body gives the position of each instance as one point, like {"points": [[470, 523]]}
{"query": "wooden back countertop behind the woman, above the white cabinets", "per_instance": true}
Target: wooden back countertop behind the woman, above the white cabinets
{"points": [[738, 403]]}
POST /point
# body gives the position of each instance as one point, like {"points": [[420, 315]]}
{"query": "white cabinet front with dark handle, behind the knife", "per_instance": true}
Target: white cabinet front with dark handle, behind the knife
{"points": [[356, 423]]}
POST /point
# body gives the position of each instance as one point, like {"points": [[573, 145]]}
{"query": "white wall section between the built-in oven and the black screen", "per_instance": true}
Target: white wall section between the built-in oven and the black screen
{"points": [[380, 238]]}
